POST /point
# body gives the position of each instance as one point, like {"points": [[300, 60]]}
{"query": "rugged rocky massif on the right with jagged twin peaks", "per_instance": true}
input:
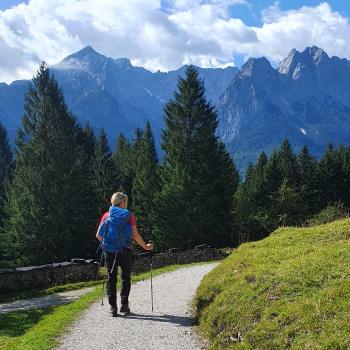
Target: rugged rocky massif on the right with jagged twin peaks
{"points": [[305, 99]]}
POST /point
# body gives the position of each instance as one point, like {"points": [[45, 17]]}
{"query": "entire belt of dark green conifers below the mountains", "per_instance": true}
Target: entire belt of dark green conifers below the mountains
{"points": [[63, 175]]}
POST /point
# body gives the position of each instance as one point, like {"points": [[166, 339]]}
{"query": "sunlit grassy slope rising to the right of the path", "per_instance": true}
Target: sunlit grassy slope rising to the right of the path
{"points": [[289, 291]]}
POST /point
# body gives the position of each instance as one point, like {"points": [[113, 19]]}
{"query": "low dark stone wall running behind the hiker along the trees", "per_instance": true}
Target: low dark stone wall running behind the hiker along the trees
{"points": [[24, 278]]}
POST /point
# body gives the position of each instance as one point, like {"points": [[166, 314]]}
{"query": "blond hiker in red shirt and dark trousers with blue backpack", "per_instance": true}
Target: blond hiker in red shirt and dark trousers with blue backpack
{"points": [[116, 230]]}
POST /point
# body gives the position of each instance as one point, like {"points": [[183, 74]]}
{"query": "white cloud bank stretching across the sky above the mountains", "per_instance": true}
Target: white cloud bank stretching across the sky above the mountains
{"points": [[160, 34]]}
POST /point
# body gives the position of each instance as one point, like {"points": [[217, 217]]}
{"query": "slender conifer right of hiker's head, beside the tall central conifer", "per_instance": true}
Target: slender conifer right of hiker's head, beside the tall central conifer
{"points": [[146, 182]]}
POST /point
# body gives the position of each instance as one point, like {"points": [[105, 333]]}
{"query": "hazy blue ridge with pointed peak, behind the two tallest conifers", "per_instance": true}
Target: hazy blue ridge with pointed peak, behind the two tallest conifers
{"points": [[111, 93]]}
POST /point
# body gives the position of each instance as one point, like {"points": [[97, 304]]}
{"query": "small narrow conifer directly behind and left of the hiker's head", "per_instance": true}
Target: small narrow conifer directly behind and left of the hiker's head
{"points": [[103, 173]]}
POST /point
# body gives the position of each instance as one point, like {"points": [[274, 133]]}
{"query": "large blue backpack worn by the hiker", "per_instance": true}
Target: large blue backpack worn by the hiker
{"points": [[117, 230]]}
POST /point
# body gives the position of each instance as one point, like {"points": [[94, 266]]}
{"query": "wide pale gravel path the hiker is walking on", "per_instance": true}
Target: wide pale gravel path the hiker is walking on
{"points": [[168, 327]]}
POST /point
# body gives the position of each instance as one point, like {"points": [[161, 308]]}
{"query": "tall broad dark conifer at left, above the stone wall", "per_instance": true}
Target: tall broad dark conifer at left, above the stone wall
{"points": [[47, 215]]}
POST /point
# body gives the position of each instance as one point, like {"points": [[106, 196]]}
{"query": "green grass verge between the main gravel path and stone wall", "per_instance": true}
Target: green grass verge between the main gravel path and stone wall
{"points": [[39, 329]]}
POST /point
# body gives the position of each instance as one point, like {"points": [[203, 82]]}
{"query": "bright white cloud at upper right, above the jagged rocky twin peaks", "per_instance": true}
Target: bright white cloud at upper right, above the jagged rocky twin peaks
{"points": [[307, 26]]}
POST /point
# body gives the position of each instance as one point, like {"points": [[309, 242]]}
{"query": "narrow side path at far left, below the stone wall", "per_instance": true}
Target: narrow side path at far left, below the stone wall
{"points": [[41, 302]]}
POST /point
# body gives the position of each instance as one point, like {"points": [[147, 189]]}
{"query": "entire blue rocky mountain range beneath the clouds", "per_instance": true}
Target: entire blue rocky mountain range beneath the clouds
{"points": [[306, 99]]}
